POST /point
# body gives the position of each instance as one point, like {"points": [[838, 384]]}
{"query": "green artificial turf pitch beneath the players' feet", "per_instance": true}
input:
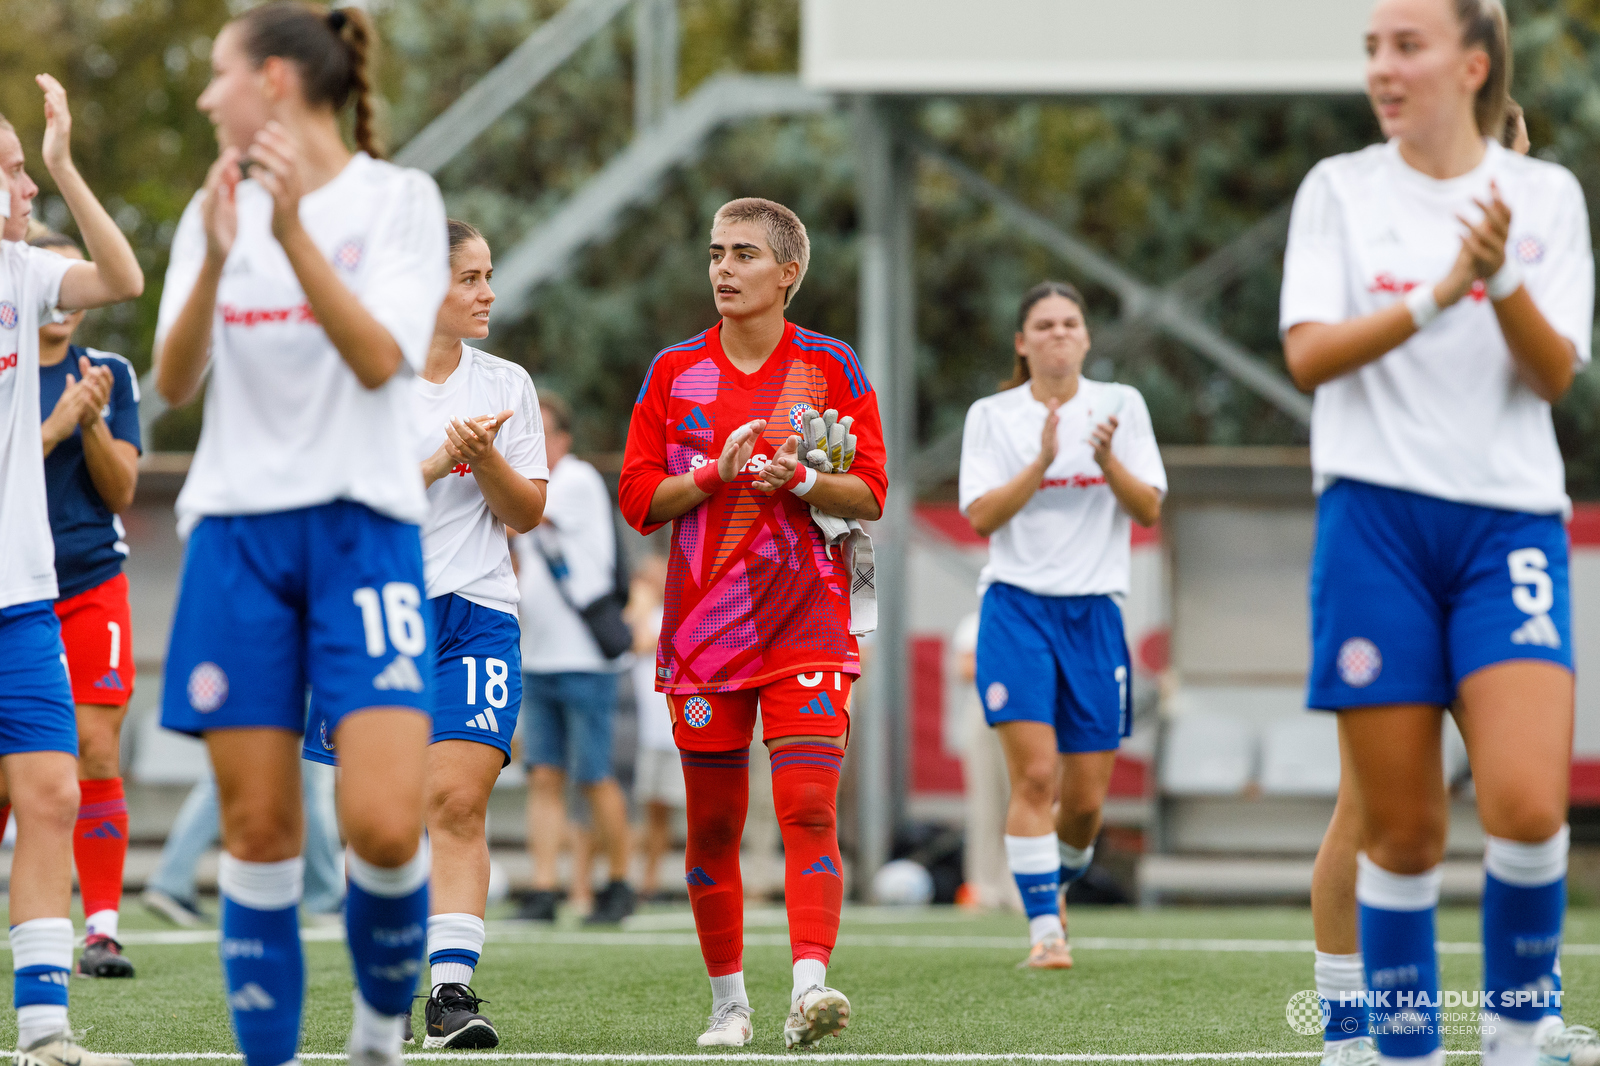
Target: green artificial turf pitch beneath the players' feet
{"points": [[934, 982]]}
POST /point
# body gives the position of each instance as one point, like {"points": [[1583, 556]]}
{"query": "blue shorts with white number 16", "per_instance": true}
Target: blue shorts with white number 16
{"points": [[271, 604]]}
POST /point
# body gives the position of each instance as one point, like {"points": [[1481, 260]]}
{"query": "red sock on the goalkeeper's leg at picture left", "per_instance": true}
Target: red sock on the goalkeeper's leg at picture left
{"points": [[719, 796]]}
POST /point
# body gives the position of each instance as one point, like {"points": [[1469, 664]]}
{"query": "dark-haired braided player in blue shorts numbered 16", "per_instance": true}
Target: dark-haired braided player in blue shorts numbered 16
{"points": [[310, 289]]}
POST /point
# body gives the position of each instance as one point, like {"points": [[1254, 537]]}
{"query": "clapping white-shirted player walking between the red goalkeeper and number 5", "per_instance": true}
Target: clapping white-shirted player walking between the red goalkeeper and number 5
{"points": [[1055, 468]]}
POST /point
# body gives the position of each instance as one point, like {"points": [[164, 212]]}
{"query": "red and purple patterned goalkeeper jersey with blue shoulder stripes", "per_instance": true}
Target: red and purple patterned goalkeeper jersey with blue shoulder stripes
{"points": [[751, 596]]}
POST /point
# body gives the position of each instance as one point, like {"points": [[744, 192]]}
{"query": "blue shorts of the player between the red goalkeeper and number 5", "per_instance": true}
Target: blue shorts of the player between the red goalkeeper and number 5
{"points": [[1060, 660]]}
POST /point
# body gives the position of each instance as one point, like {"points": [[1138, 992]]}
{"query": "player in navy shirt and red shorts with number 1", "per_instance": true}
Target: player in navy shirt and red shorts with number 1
{"points": [[92, 470]]}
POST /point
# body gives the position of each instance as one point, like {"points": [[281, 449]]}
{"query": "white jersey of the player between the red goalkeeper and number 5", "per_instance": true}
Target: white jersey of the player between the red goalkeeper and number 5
{"points": [[1073, 537]]}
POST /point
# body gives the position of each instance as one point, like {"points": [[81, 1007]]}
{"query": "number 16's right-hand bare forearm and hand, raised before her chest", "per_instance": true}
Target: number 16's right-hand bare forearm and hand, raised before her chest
{"points": [[367, 348]]}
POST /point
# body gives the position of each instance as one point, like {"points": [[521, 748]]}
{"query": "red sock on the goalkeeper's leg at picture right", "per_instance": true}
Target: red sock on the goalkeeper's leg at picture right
{"points": [[806, 791]]}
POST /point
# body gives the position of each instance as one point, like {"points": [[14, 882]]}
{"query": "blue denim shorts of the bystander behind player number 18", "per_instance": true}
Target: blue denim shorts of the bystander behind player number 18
{"points": [[569, 723]]}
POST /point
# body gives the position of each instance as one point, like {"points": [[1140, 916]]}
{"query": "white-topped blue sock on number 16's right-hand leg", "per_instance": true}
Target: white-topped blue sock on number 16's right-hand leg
{"points": [[386, 920]]}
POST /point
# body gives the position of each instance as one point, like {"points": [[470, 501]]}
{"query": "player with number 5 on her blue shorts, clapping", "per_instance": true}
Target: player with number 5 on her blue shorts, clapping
{"points": [[1439, 295]]}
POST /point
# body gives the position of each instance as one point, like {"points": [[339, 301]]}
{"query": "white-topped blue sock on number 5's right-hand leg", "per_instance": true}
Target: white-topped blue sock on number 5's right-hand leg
{"points": [[1524, 905]]}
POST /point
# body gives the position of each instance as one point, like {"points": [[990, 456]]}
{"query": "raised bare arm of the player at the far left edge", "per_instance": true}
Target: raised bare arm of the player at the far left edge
{"points": [[114, 273]]}
